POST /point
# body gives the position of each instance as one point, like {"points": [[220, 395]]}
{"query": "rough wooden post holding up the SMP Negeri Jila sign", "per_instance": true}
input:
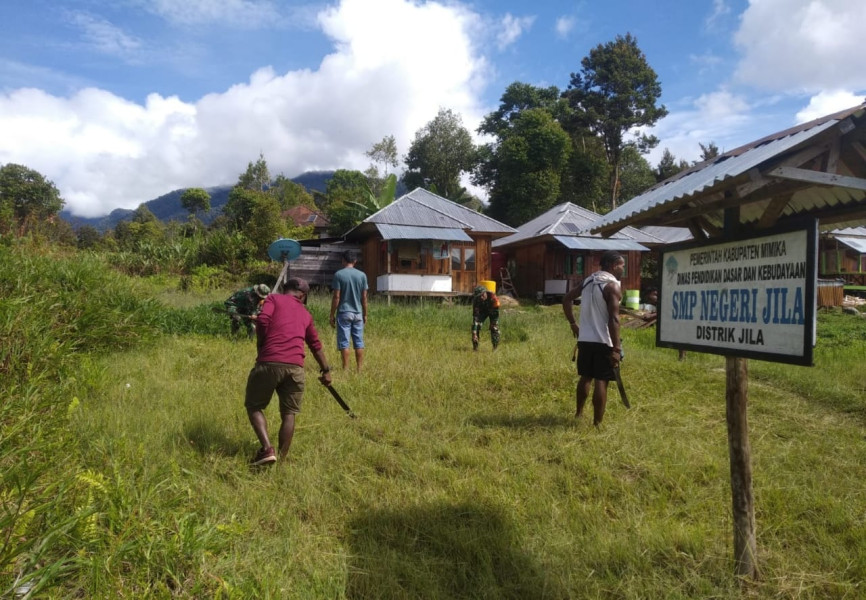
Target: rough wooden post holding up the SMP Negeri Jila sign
{"points": [[737, 396]]}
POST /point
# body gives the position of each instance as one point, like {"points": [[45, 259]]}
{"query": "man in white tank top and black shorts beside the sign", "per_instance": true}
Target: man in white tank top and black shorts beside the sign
{"points": [[598, 344]]}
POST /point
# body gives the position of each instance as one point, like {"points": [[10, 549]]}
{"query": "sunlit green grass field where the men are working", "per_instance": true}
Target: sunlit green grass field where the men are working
{"points": [[465, 475]]}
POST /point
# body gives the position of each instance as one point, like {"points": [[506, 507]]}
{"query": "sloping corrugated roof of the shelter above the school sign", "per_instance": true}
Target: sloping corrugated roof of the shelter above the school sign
{"points": [[701, 183]]}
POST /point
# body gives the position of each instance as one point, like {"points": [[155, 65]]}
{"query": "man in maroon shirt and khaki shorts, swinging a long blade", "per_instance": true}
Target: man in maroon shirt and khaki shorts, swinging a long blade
{"points": [[283, 326]]}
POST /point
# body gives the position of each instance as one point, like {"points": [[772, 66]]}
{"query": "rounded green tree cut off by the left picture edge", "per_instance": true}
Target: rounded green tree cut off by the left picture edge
{"points": [[26, 198]]}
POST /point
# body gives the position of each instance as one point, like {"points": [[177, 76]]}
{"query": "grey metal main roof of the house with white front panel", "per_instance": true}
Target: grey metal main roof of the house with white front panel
{"points": [[425, 209]]}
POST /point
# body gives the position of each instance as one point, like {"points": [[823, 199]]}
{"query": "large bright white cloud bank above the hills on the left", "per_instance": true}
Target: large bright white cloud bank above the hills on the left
{"points": [[105, 152]]}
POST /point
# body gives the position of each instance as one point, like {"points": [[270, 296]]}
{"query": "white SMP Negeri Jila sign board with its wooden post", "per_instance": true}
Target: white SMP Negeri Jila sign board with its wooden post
{"points": [[742, 297]]}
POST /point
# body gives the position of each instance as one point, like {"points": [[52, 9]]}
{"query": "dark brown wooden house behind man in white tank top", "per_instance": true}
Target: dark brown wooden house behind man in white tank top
{"points": [[554, 251]]}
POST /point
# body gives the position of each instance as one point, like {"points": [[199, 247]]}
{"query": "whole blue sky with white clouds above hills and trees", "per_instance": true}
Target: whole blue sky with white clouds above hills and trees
{"points": [[120, 101]]}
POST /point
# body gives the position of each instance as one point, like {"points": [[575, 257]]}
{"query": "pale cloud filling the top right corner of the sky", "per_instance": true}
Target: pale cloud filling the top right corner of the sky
{"points": [[802, 46]]}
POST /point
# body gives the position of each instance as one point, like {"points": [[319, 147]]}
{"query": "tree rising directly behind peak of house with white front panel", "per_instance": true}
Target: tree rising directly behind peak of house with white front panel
{"points": [[440, 153]]}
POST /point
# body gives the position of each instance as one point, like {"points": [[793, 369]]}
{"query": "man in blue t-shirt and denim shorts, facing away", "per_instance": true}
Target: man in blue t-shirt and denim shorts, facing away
{"points": [[349, 309]]}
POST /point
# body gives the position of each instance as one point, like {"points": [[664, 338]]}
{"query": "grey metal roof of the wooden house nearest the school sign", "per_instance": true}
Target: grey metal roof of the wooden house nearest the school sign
{"points": [[569, 220]]}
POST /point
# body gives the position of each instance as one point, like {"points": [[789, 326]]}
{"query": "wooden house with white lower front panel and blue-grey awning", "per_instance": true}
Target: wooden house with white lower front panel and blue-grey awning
{"points": [[426, 245]]}
